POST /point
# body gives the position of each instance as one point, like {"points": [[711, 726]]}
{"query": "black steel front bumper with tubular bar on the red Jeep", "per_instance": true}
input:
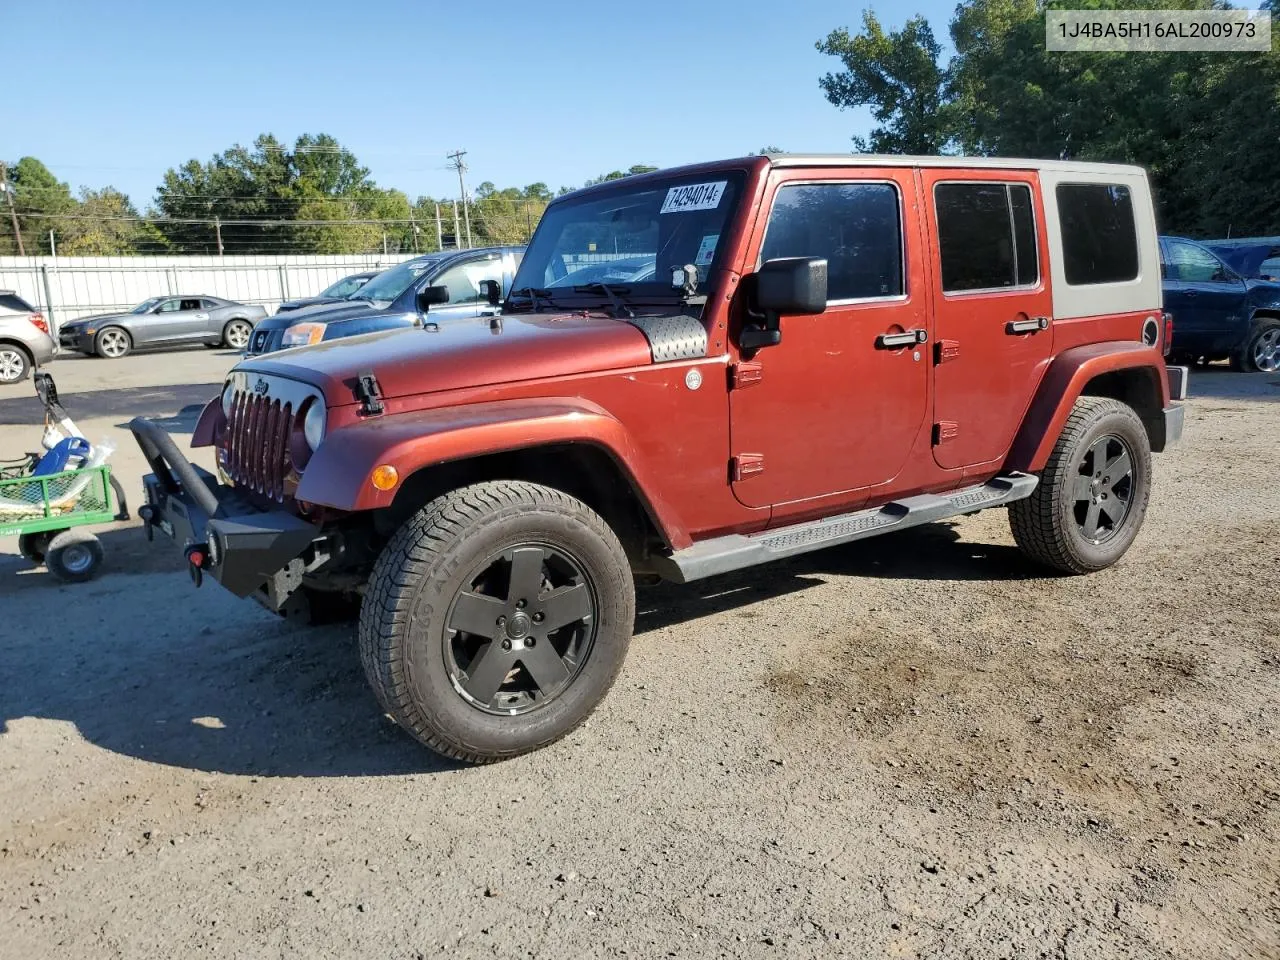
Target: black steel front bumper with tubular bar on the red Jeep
{"points": [[244, 548]]}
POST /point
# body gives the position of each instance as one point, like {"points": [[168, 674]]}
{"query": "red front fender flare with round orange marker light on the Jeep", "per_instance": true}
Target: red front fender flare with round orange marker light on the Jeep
{"points": [[339, 474]]}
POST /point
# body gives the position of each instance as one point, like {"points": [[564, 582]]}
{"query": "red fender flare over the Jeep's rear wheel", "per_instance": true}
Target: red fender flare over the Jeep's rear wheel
{"points": [[1068, 380]]}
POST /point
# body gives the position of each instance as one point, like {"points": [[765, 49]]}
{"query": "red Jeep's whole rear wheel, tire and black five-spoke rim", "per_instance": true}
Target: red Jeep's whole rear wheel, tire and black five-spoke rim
{"points": [[1094, 492]]}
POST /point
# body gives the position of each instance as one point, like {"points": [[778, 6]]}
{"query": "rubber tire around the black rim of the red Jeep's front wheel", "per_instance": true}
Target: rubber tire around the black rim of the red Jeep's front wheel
{"points": [[408, 648]]}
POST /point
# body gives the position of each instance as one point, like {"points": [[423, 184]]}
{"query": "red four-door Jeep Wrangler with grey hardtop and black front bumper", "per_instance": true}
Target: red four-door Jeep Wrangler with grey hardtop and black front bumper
{"points": [[697, 371]]}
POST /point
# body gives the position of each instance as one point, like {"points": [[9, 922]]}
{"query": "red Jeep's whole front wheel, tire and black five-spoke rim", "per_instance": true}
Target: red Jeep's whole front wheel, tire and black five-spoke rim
{"points": [[497, 619]]}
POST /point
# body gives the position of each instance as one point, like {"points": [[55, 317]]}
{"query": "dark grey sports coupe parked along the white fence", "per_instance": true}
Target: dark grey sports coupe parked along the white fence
{"points": [[164, 322]]}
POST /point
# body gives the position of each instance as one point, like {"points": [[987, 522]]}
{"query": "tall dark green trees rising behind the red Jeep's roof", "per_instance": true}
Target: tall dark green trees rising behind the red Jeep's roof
{"points": [[1204, 125]]}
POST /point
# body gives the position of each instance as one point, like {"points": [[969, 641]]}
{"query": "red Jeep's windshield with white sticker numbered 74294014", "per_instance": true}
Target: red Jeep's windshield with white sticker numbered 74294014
{"points": [[634, 239]]}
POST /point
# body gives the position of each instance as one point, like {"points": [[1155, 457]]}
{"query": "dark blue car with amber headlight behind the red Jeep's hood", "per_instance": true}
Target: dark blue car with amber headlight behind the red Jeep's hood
{"points": [[391, 299]]}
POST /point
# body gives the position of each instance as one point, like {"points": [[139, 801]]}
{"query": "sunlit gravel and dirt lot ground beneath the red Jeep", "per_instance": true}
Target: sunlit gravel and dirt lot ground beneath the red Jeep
{"points": [[917, 747]]}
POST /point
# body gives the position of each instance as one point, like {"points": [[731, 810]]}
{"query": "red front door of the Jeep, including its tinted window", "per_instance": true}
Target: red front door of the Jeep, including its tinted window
{"points": [[835, 408]]}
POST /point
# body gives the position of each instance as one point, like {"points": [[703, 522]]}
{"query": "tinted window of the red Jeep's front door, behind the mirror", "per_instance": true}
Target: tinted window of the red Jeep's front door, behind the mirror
{"points": [[857, 227]]}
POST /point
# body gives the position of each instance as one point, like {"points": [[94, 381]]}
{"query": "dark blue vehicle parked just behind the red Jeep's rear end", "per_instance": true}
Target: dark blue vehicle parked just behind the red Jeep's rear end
{"points": [[1218, 313]]}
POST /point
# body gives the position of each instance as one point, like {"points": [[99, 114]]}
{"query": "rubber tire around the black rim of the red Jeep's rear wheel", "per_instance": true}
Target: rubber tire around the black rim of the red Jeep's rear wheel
{"points": [[1048, 525]]}
